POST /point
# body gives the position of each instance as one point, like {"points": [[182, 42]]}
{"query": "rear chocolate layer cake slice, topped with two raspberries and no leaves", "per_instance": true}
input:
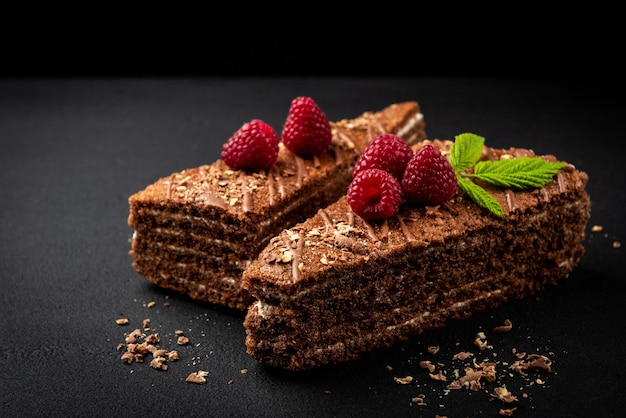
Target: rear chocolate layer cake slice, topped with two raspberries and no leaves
{"points": [[197, 230]]}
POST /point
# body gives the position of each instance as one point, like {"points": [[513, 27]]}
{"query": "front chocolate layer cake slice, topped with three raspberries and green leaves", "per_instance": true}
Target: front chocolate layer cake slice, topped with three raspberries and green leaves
{"points": [[336, 286]]}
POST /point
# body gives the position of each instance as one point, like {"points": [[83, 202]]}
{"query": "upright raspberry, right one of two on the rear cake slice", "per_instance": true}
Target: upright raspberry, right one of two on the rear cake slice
{"points": [[306, 131]]}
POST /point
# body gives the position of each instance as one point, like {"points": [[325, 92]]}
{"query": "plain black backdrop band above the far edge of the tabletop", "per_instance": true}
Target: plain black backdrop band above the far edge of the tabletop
{"points": [[314, 40]]}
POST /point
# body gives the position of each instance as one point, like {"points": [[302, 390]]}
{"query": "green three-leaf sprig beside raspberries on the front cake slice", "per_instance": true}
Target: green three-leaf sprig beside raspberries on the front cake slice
{"points": [[517, 173]]}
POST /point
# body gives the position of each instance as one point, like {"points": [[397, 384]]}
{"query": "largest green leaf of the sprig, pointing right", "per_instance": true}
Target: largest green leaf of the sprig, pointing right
{"points": [[518, 173]]}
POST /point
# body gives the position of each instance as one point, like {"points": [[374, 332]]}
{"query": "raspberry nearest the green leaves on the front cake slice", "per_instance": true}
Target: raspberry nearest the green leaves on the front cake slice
{"points": [[429, 179]]}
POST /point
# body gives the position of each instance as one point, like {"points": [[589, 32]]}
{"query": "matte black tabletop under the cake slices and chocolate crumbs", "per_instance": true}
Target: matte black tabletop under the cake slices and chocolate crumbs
{"points": [[73, 150]]}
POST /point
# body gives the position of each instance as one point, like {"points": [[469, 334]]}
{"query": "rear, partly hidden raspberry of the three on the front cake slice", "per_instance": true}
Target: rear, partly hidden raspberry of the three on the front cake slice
{"points": [[387, 152]]}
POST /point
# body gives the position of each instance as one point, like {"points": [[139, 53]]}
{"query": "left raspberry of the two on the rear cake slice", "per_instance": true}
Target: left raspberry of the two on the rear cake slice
{"points": [[253, 147]]}
